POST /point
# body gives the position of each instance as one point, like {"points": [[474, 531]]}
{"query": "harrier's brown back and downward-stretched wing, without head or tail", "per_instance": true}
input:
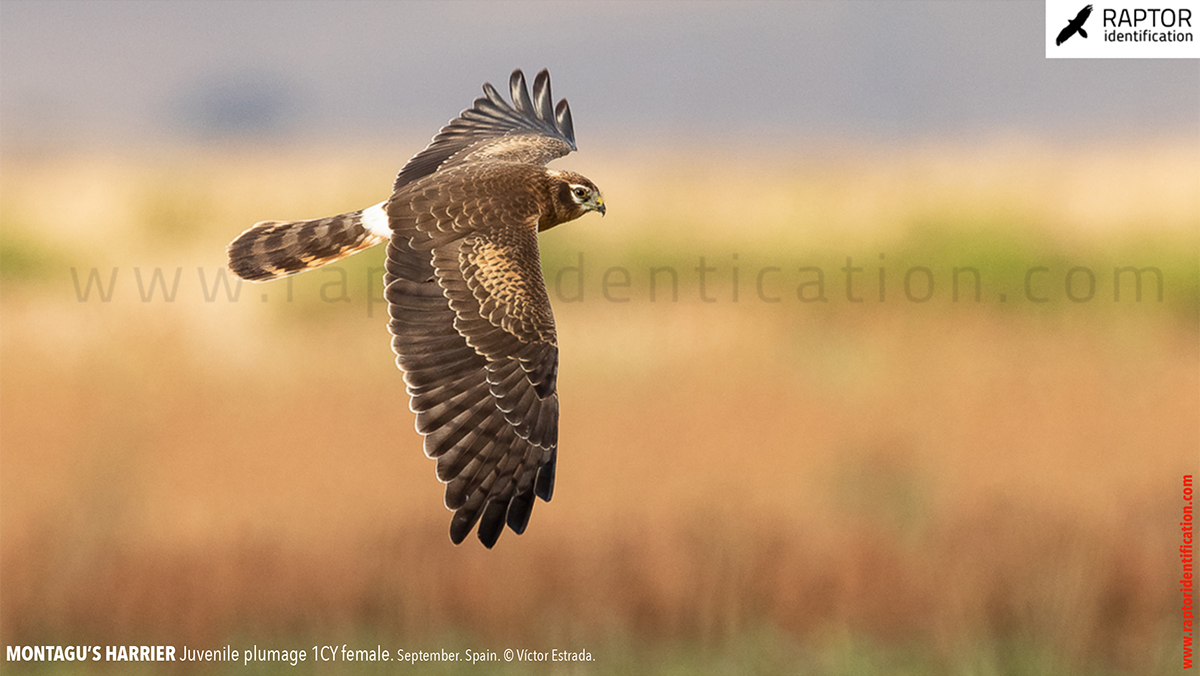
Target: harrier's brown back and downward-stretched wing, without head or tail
{"points": [[473, 332]]}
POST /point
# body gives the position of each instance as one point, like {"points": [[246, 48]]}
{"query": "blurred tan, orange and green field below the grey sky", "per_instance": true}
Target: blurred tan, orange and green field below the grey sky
{"points": [[746, 486]]}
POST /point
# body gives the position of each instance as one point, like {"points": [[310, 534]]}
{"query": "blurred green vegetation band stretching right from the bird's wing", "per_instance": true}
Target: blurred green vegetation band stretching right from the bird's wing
{"points": [[999, 268]]}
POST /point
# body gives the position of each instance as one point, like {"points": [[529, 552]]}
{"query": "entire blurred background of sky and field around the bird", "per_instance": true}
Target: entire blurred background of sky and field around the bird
{"points": [[885, 360]]}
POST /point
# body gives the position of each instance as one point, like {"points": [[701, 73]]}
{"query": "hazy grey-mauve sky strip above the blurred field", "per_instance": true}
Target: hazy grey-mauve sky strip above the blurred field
{"points": [[116, 71]]}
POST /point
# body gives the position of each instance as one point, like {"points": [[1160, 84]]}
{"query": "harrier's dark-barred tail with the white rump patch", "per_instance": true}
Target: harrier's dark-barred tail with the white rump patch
{"points": [[277, 249]]}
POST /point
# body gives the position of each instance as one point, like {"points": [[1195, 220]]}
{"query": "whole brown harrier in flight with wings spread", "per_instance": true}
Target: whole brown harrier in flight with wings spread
{"points": [[470, 316]]}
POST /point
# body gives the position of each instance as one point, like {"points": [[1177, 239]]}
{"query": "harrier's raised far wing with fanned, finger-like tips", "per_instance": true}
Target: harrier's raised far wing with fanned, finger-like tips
{"points": [[535, 131]]}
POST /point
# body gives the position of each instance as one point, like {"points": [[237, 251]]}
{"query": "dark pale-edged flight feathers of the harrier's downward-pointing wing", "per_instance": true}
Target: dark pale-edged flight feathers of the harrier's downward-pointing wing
{"points": [[489, 416]]}
